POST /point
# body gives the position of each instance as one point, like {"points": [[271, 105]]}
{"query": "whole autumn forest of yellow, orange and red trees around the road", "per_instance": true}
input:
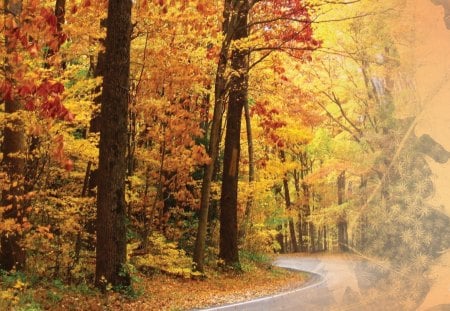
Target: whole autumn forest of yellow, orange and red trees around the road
{"points": [[189, 141]]}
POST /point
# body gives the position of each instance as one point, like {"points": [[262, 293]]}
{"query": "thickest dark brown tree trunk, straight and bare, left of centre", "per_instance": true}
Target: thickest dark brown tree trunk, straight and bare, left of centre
{"points": [[111, 206]]}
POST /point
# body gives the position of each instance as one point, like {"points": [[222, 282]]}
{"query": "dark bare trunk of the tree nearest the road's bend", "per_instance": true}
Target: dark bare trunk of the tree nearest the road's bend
{"points": [[228, 247]]}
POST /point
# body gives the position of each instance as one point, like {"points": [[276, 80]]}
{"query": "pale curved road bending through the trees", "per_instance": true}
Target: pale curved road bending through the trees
{"points": [[336, 283]]}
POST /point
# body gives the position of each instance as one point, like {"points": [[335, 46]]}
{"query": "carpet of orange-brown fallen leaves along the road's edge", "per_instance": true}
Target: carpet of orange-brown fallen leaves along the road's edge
{"points": [[164, 292]]}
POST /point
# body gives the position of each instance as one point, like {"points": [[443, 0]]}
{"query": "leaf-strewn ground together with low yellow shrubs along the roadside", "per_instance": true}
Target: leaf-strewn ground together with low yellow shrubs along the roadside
{"points": [[163, 278]]}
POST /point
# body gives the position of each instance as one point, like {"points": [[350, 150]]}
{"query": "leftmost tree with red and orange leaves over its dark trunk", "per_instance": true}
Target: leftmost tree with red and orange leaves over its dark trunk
{"points": [[29, 92]]}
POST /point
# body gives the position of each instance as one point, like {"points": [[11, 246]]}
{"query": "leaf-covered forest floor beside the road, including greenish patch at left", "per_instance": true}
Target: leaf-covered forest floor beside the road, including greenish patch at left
{"points": [[164, 292]]}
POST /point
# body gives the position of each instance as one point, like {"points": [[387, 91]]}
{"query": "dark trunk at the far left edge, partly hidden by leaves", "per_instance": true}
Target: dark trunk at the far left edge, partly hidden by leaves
{"points": [[13, 148]]}
